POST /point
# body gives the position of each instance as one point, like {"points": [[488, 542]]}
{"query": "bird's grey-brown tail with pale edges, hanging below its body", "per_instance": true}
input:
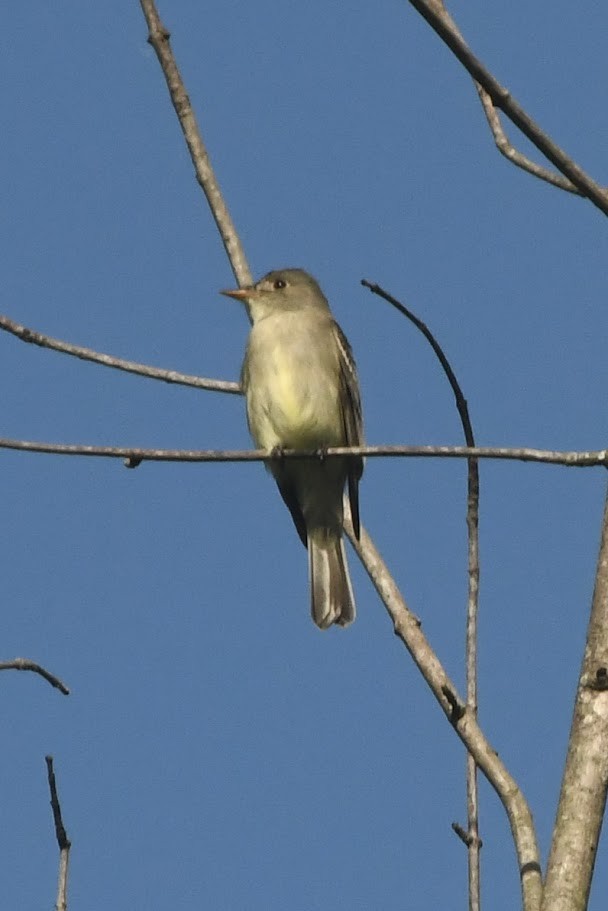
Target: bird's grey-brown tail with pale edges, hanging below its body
{"points": [[331, 594]]}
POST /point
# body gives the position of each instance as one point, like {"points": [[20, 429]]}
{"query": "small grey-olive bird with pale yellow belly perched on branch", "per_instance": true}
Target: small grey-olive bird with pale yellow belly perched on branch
{"points": [[300, 381]]}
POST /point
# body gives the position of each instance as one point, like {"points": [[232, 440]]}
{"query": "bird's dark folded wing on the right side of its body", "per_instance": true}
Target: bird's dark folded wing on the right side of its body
{"points": [[352, 419]]}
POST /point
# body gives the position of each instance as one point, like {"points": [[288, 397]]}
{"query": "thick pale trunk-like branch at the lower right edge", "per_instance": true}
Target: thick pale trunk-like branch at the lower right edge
{"points": [[582, 800]]}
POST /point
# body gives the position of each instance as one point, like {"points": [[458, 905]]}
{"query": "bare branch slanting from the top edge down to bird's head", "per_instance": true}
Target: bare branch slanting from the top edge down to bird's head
{"points": [[159, 39]]}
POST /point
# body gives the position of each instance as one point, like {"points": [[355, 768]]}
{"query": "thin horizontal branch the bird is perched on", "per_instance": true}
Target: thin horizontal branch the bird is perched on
{"points": [[574, 459]]}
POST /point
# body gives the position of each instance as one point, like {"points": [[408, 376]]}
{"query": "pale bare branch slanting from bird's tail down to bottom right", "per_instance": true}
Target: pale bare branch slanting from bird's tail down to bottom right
{"points": [[407, 628]]}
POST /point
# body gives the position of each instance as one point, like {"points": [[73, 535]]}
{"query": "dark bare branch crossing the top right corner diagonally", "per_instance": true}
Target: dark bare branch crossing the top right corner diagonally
{"points": [[433, 11]]}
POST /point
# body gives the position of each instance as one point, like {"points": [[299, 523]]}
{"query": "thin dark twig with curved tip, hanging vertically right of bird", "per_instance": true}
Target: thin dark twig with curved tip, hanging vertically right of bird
{"points": [[473, 841]]}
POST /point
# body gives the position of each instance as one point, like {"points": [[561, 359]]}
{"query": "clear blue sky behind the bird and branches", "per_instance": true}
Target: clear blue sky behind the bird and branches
{"points": [[217, 749]]}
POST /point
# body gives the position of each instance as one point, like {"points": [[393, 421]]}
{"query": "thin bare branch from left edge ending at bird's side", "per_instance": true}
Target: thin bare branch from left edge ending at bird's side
{"points": [[87, 354]]}
